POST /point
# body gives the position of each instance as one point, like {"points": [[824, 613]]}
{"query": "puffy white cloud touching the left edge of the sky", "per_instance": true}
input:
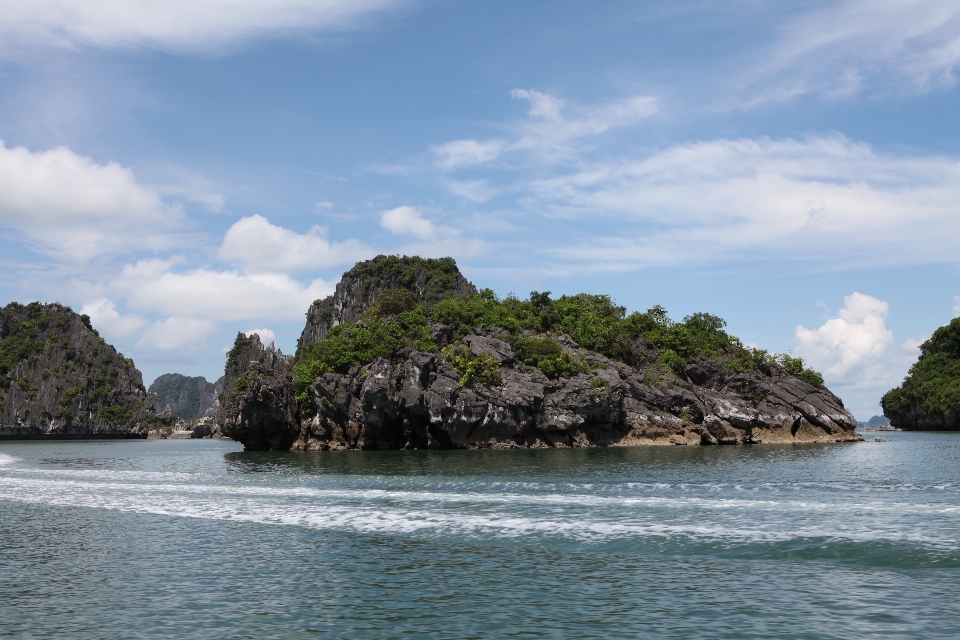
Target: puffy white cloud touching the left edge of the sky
{"points": [[69, 207]]}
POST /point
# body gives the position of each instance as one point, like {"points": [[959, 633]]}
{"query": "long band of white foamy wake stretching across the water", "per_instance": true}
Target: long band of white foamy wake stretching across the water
{"points": [[375, 510]]}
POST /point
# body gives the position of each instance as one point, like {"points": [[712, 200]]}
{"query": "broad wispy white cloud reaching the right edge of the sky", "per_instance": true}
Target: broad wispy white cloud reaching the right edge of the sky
{"points": [[823, 197]]}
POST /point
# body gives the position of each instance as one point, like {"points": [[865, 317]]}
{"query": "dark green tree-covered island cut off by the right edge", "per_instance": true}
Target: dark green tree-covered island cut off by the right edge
{"points": [[929, 398]]}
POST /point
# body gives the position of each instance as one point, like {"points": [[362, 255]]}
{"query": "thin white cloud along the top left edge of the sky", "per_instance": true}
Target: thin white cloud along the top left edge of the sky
{"points": [[172, 24]]}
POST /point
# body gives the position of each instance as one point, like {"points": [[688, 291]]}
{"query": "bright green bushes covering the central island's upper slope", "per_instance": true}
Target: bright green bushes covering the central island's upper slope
{"points": [[594, 322]]}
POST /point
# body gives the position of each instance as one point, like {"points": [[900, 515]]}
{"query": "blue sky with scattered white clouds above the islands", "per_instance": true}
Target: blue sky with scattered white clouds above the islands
{"points": [[186, 170]]}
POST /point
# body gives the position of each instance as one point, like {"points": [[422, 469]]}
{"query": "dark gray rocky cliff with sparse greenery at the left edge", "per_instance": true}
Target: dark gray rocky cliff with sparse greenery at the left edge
{"points": [[60, 379]]}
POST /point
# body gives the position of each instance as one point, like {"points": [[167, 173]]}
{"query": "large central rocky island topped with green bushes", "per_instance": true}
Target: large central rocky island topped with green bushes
{"points": [[407, 354]]}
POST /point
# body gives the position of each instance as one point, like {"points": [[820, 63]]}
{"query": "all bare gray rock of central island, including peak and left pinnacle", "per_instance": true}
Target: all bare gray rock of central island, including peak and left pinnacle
{"points": [[415, 400]]}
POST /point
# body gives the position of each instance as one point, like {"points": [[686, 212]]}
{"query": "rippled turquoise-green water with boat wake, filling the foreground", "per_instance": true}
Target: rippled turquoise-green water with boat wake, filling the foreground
{"points": [[111, 539]]}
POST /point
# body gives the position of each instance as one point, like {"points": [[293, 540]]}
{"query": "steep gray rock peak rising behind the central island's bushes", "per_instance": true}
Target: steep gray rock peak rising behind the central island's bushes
{"points": [[360, 287]]}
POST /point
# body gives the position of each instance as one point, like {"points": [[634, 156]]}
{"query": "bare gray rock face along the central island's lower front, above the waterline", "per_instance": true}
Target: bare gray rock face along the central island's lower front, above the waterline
{"points": [[417, 403]]}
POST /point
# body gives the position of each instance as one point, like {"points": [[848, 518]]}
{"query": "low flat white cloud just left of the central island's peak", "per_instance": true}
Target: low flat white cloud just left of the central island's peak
{"points": [[203, 294]]}
